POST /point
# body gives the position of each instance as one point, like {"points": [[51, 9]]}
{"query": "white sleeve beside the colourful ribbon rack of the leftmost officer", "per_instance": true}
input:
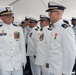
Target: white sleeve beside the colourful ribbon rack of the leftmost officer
{"points": [[22, 46]]}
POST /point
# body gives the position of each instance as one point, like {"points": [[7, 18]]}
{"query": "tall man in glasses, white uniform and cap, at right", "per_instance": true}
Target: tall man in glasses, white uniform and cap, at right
{"points": [[62, 42]]}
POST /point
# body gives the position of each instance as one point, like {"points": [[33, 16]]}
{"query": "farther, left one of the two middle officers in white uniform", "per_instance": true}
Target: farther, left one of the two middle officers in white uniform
{"points": [[32, 43]]}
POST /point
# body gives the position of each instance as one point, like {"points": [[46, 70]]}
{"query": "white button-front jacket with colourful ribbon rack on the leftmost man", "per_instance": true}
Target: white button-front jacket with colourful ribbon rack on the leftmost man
{"points": [[12, 47]]}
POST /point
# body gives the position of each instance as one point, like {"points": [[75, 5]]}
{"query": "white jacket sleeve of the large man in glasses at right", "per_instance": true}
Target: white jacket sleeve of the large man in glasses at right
{"points": [[68, 48]]}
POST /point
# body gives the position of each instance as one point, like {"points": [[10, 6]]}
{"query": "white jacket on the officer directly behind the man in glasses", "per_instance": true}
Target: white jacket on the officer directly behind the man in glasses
{"points": [[42, 47]]}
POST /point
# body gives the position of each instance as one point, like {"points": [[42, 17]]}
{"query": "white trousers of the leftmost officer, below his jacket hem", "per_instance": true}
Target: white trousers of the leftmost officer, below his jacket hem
{"points": [[15, 72]]}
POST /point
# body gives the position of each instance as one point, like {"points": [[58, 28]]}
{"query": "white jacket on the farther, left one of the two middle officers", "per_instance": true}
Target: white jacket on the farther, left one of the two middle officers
{"points": [[32, 41]]}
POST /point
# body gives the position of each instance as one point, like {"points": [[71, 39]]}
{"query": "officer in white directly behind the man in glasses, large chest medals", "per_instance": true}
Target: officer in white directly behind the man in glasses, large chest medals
{"points": [[42, 47]]}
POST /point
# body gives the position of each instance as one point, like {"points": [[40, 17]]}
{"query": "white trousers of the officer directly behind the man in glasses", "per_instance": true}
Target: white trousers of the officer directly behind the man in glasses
{"points": [[42, 70]]}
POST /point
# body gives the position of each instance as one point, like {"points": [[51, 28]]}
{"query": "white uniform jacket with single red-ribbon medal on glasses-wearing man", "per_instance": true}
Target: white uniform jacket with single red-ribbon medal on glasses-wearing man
{"points": [[62, 49]]}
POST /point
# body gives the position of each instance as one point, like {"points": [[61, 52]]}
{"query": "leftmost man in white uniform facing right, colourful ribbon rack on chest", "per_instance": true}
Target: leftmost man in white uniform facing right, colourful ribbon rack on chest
{"points": [[12, 45]]}
